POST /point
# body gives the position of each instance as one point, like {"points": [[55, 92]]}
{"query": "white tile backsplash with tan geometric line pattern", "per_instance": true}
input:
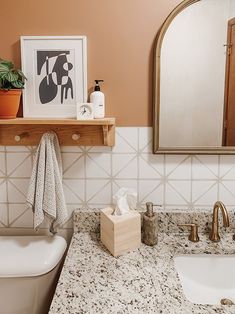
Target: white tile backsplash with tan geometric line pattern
{"points": [[92, 175]]}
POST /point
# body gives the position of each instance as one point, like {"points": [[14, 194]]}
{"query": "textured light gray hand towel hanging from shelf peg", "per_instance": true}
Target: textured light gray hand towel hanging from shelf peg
{"points": [[45, 193]]}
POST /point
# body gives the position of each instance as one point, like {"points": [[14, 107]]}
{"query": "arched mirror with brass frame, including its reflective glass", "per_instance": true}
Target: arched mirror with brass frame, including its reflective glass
{"points": [[194, 103]]}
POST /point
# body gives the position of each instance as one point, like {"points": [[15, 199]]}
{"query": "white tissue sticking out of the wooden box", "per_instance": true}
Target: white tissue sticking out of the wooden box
{"points": [[124, 200]]}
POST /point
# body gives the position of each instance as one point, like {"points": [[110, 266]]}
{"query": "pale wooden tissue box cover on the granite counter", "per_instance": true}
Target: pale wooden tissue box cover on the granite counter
{"points": [[120, 234]]}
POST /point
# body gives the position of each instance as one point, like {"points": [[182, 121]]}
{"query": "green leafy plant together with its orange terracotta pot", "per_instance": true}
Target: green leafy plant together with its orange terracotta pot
{"points": [[11, 84]]}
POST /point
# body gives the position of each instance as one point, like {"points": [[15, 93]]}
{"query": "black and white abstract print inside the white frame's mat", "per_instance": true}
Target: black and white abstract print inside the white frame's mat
{"points": [[55, 77]]}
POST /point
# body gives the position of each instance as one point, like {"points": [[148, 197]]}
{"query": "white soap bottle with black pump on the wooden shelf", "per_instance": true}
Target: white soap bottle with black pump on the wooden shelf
{"points": [[97, 98]]}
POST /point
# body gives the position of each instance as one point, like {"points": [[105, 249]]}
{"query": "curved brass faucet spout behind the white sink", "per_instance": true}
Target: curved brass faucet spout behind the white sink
{"points": [[214, 235]]}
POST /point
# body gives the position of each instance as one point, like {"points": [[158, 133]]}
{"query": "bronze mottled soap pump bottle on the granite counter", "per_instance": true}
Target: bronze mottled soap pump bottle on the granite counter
{"points": [[150, 225]]}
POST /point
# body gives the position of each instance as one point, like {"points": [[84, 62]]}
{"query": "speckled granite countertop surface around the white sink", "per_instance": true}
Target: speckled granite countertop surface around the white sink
{"points": [[143, 281]]}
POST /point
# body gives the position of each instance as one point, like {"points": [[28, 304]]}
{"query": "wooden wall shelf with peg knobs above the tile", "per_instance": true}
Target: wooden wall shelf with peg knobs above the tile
{"points": [[71, 132]]}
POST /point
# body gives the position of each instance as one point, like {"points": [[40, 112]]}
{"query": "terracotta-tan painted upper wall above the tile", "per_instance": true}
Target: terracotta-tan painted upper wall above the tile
{"points": [[120, 41]]}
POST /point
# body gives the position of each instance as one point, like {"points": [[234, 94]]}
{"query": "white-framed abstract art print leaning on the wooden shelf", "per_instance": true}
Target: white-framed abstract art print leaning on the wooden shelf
{"points": [[56, 72]]}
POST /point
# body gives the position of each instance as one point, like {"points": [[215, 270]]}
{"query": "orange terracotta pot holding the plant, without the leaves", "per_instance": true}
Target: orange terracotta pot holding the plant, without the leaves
{"points": [[9, 103]]}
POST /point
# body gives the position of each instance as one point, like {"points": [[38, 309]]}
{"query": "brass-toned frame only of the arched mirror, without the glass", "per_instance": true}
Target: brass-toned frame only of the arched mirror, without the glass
{"points": [[156, 95]]}
